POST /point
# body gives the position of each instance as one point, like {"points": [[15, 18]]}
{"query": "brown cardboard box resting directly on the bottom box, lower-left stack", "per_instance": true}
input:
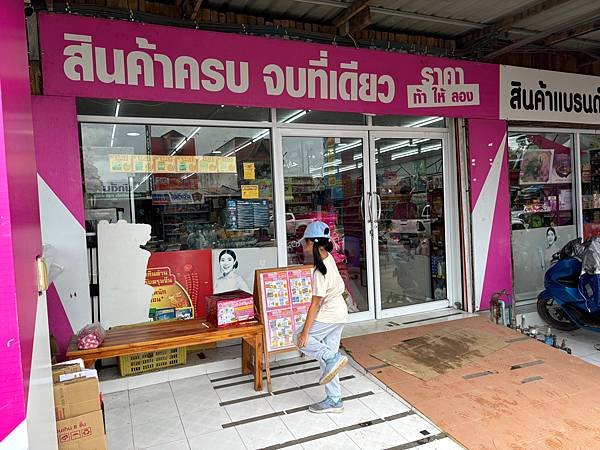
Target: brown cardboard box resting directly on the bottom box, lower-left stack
{"points": [[76, 397]]}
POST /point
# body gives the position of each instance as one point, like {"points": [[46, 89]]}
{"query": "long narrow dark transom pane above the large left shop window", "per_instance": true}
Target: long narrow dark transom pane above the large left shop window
{"points": [[131, 108]]}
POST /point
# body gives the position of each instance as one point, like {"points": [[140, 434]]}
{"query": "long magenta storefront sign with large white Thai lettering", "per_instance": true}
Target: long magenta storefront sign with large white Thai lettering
{"points": [[88, 57]]}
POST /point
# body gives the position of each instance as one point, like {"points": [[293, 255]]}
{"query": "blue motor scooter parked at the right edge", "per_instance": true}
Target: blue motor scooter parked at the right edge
{"points": [[571, 298]]}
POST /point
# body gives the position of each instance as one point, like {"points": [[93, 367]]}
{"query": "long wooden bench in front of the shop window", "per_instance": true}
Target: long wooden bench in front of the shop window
{"points": [[155, 336]]}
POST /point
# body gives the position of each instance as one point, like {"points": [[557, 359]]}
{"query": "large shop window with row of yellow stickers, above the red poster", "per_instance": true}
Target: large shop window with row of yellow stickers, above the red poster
{"points": [[198, 187]]}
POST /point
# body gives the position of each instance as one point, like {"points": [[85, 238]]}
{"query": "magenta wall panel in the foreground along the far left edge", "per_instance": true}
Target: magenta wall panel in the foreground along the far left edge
{"points": [[19, 218]]}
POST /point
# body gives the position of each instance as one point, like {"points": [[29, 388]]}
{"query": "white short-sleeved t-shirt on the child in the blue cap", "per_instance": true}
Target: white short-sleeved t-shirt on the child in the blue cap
{"points": [[330, 288]]}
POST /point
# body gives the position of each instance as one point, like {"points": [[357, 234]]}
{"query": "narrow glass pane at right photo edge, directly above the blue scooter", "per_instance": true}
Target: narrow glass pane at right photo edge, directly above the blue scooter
{"points": [[590, 184]]}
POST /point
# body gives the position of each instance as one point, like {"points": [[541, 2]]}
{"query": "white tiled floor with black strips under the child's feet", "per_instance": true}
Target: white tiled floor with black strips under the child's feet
{"points": [[222, 411]]}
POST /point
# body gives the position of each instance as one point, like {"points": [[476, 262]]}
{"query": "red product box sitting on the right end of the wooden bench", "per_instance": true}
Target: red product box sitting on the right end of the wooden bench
{"points": [[229, 308]]}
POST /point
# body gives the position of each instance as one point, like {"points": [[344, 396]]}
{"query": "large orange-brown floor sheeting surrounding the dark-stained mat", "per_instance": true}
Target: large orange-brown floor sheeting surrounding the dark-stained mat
{"points": [[526, 395]]}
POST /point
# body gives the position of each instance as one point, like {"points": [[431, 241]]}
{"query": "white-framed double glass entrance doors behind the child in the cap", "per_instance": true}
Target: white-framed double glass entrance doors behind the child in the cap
{"points": [[387, 208]]}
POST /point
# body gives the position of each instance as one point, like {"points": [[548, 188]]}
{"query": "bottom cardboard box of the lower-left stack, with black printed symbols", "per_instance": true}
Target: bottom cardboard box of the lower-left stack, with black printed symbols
{"points": [[84, 432]]}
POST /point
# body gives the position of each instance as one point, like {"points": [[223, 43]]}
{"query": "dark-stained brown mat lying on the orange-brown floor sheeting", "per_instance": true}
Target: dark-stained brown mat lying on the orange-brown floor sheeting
{"points": [[440, 351]]}
